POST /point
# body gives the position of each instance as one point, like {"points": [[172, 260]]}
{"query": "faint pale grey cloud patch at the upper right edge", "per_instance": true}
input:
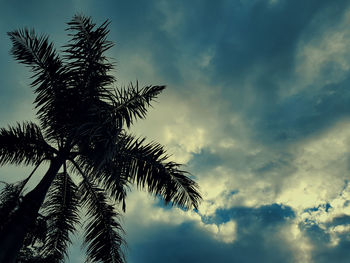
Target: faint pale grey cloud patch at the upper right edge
{"points": [[330, 46]]}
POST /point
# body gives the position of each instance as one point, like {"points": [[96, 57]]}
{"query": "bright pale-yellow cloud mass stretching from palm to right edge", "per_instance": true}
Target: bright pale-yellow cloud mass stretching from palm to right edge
{"points": [[314, 174]]}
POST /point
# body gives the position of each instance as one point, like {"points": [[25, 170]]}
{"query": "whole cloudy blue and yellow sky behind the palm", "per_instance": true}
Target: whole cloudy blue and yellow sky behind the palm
{"points": [[256, 108]]}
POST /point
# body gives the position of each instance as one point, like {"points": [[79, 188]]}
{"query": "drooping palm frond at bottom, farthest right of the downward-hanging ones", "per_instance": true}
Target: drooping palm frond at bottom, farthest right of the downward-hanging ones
{"points": [[103, 236]]}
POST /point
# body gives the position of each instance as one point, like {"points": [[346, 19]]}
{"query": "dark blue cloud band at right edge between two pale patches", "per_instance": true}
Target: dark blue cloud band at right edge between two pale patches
{"points": [[306, 113]]}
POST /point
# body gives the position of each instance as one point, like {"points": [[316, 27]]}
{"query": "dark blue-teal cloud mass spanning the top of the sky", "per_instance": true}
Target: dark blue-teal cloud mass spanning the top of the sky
{"points": [[249, 40]]}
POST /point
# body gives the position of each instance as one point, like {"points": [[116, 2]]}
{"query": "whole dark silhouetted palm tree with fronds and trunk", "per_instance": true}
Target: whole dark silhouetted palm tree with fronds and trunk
{"points": [[83, 137]]}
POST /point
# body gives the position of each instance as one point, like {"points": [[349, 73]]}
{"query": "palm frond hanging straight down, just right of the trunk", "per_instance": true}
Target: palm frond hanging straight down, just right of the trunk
{"points": [[61, 209]]}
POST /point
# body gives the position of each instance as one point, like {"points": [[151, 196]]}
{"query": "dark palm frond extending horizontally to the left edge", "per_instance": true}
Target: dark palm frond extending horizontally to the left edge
{"points": [[23, 143]]}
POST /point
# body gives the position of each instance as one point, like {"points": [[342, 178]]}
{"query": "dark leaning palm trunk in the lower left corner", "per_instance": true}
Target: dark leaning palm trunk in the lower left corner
{"points": [[13, 234]]}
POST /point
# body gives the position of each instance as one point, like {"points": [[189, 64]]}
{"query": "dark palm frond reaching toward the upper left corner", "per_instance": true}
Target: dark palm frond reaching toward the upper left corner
{"points": [[49, 77]]}
